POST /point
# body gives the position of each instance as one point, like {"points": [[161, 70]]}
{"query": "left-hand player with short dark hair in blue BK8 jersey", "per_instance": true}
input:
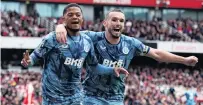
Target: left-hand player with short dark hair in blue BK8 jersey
{"points": [[63, 62]]}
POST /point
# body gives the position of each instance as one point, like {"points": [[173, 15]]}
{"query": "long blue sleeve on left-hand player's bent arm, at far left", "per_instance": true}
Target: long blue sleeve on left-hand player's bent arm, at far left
{"points": [[43, 48]]}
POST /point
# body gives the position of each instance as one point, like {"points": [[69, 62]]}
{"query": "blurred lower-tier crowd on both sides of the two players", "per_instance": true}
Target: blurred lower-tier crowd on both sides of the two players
{"points": [[144, 86]]}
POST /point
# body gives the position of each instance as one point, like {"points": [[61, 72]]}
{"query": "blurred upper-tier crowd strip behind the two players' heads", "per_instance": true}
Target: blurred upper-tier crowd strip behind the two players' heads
{"points": [[15, 24]]}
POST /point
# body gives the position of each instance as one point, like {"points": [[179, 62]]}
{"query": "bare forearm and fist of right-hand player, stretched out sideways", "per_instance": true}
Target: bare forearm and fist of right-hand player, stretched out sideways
{"points": [[164, 56]]}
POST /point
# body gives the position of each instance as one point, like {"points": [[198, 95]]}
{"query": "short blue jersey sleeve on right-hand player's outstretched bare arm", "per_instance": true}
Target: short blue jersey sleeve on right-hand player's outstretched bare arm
{"points": [[141, 49]]}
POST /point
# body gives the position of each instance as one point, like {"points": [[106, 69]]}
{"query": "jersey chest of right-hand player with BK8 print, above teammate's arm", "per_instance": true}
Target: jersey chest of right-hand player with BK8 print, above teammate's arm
{"points": [[113, 56]]}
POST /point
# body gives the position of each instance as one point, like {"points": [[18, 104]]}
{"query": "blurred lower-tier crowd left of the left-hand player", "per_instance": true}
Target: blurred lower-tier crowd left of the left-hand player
{"points": [[17, 87]]}
